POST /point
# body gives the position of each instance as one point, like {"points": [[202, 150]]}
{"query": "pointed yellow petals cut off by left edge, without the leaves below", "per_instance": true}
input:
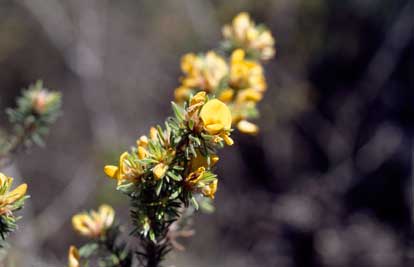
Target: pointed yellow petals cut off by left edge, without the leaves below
{"points": [[8, 198]]}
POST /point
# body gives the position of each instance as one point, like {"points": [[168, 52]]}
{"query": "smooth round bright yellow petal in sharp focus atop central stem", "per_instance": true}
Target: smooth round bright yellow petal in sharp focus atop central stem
{"points": [[216, 117]]}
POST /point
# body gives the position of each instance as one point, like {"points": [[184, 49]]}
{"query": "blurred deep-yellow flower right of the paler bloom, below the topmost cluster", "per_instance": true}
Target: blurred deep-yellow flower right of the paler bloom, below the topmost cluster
{"points": [[246, 73]]}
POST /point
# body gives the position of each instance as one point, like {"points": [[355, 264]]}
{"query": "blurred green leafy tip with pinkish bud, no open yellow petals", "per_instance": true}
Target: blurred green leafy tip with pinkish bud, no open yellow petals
{"points": [[37, 109]]}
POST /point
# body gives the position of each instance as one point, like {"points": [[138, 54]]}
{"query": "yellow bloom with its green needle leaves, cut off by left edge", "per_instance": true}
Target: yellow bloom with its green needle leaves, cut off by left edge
{"points": [[10, 201]]}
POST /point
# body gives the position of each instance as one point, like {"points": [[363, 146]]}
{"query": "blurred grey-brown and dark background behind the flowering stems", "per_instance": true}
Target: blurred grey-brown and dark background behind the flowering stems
{"points": [[327, 182]]}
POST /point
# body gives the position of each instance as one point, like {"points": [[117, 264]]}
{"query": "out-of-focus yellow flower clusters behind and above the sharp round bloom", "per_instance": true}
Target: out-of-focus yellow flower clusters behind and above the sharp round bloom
{"points": [[239, 80]]}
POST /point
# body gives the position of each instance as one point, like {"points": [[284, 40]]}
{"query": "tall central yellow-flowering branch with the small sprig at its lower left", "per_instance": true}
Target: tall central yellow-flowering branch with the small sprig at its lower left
{"points": [[170, 171]]}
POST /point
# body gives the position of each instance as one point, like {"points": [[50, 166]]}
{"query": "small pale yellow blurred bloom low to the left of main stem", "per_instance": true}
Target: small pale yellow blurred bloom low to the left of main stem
{"points": [[95, 223]]}
